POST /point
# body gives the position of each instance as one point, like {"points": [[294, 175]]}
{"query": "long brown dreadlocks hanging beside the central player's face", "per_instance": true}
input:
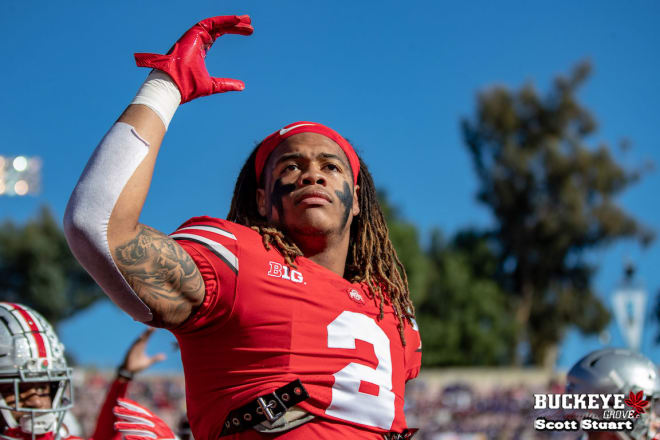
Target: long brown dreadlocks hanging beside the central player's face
{"points": [[371, 258]]}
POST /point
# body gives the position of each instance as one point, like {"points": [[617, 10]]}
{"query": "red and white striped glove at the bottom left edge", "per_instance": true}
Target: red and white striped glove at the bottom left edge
{"points": [[138, 423]]}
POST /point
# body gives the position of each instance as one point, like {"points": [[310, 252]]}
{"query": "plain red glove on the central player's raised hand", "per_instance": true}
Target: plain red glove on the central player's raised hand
{"points": [[185, 60]]}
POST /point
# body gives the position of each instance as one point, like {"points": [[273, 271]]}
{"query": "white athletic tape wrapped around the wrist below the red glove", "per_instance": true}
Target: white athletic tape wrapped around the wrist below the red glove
{"points": [[160, 94]]}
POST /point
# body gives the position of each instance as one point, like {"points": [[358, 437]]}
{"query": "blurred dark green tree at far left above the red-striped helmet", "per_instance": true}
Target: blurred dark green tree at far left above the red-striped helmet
{"points": [[37, 269]]}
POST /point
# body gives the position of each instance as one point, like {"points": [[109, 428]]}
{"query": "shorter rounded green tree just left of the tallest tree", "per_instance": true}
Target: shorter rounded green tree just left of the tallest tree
{"points": [[465, 317]]}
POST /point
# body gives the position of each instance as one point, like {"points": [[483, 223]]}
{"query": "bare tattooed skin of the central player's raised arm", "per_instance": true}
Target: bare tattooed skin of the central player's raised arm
{"points": [[160, 272]]}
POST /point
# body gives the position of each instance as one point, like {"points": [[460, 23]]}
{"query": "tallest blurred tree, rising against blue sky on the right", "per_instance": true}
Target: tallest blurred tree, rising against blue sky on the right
{"points": [[552, 197]]}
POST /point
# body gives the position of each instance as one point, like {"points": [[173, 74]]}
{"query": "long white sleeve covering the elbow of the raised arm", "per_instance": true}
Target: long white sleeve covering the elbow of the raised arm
{"points": [[88, 212]]}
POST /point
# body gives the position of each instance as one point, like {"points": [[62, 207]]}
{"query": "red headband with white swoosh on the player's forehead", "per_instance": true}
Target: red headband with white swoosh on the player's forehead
{"points": [[272, 141]]}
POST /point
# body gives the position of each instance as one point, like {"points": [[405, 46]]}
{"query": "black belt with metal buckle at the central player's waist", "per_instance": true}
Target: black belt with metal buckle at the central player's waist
{"points": [[267, 407]]}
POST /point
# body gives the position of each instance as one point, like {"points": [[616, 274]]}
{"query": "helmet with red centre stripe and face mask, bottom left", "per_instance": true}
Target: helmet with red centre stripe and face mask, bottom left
{"points": [[30, 351]]}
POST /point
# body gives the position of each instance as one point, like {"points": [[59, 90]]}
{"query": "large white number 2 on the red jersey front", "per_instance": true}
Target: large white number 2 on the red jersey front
{"points": [[348, 403]]}
